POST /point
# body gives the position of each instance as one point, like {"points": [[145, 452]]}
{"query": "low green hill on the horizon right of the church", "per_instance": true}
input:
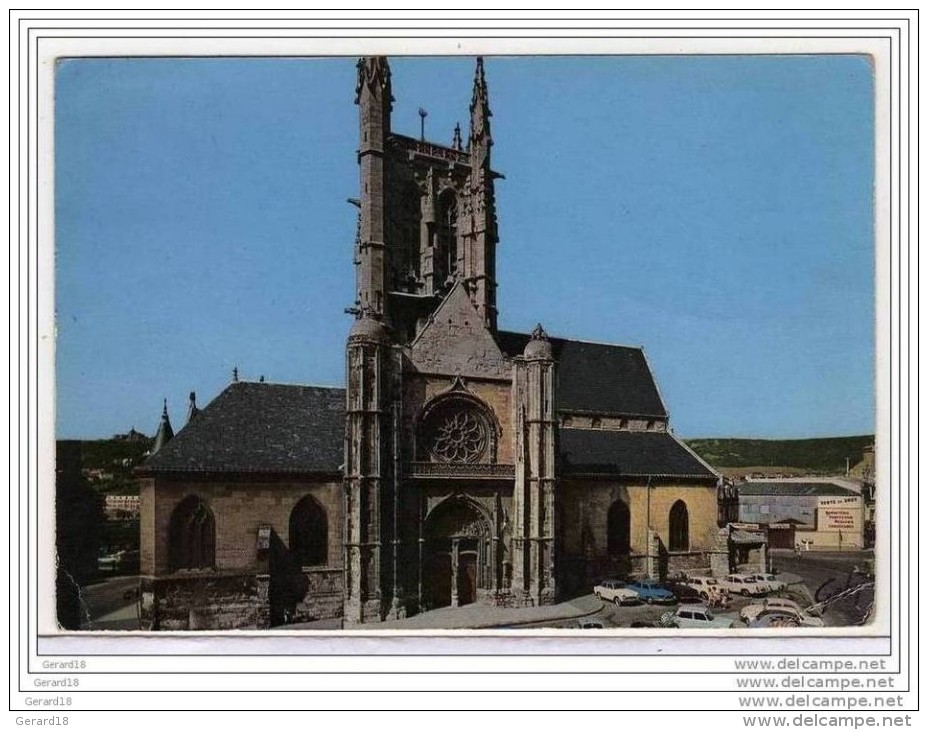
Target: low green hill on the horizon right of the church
{"points": [[818, 455]]}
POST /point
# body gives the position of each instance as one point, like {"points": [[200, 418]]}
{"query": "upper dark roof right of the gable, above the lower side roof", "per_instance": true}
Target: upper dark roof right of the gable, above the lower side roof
{"points": [[595, 378]]}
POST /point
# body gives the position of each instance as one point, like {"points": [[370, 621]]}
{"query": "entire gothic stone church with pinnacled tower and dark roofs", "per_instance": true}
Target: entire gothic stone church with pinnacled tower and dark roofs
{"points": [[460, 463]]}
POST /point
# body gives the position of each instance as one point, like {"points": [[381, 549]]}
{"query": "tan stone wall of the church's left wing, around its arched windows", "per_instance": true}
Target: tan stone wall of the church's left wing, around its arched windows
{"points": [[246, 588]]}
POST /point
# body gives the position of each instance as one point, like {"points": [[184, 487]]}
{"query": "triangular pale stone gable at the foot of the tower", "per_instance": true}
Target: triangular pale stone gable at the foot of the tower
{"points": [[456, 342]]}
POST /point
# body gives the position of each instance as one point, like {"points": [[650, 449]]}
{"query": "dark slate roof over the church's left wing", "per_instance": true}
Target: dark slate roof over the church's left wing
{"points": [[260, 427]]}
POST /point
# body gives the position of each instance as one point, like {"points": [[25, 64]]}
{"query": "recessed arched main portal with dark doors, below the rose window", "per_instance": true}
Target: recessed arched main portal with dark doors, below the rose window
{"points": [[456, 556]]}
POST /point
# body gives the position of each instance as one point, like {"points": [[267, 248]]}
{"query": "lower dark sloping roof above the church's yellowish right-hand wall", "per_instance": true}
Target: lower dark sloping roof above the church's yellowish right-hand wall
{"points": [[631, 453]]}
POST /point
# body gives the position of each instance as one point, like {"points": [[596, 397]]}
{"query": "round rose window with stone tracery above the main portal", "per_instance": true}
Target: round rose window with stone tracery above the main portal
{"points": [[456, 433]]}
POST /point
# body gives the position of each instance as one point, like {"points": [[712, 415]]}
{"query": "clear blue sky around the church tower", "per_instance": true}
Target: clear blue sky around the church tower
{"points": [[716, 210]]}
